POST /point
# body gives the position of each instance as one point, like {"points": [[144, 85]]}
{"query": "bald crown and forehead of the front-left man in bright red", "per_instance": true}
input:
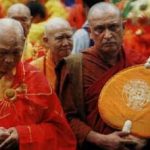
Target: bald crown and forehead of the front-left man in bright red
{"points": [[11, 31]]}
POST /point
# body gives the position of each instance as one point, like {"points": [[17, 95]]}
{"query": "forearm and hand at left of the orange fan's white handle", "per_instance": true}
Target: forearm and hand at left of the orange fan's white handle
{"points": [[113, 141]]}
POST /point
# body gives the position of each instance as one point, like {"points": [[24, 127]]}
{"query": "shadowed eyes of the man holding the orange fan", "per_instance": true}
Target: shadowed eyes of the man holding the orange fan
{"points": [[111, 27]]}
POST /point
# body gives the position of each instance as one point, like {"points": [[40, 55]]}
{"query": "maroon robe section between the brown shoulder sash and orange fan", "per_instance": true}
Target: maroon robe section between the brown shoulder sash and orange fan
{"points": [[96, 72]]}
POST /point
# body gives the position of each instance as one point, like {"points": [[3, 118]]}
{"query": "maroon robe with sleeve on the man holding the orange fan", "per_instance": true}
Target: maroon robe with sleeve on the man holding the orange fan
{"points": [[95, 74]]}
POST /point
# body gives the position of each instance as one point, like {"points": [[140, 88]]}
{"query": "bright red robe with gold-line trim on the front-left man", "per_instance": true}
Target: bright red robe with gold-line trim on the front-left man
{"points": [[36, 113]]}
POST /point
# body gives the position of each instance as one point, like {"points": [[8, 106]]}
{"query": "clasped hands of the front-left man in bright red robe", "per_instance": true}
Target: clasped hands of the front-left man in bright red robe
{"points": [[11, 141]]}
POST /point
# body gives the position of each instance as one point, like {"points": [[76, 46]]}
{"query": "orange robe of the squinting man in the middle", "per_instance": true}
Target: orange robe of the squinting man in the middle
{"points": [[46, 65]]}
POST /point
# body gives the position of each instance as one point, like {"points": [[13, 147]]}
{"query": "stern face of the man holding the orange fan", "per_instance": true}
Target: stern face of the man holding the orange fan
{"points": [[107, 32]]}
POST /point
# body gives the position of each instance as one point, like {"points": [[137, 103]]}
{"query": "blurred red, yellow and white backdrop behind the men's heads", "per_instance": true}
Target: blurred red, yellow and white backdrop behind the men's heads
{"points": [[135, 13]]}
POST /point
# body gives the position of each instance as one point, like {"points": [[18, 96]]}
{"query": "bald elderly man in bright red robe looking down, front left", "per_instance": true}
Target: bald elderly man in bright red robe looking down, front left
{"points": [[31, 117]]}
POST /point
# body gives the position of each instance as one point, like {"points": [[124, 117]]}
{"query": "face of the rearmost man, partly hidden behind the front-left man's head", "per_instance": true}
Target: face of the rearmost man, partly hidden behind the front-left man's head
{"points": [[23, 17]]}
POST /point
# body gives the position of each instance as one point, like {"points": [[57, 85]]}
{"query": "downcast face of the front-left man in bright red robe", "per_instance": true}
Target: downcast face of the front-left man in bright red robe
{"points": [[10, 51]]}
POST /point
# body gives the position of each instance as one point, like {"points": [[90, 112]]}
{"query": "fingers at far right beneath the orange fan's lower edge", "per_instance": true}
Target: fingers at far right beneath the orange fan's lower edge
{"points": [[140, 142]]}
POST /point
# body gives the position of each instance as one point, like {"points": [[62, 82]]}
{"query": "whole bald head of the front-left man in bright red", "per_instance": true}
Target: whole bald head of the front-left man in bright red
{"points": [[11, 44]]}
